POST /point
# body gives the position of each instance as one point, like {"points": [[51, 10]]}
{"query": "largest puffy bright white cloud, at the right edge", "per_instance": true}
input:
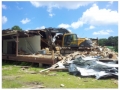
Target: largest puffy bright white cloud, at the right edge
{"points": [[96, 16]]}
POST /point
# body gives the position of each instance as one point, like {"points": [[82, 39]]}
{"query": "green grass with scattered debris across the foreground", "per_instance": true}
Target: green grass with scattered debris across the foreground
{"points": [[13, 76]]}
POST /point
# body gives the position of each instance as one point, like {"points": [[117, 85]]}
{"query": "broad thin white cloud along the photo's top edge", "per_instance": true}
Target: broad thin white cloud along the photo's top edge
{"points": [[59, 4]]}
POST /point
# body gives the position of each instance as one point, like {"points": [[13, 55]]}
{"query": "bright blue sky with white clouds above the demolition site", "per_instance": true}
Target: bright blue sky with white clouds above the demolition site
{"points": [[86, 19]]}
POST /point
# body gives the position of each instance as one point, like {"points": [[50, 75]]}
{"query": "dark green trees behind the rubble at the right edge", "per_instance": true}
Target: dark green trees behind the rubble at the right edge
{"points": [[111, 41]]}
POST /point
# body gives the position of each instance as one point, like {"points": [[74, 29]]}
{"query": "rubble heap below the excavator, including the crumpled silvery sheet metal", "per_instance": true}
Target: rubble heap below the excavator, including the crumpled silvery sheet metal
{"points": [[88, 63]]}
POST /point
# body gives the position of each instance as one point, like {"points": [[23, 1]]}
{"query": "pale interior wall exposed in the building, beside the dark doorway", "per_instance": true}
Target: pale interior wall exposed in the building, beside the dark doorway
{"points": [[34, 41]]}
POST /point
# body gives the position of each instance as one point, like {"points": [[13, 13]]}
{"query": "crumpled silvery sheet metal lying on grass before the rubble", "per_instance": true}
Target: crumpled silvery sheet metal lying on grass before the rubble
{"points": [[92, 67]]}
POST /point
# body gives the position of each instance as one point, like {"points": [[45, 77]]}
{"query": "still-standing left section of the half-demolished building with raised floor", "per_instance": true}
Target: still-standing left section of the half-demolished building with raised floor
{"points": [[24, 45]]}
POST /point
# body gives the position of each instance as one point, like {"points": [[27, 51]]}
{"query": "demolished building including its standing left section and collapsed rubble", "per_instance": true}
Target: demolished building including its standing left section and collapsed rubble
{"points": [[32, 46]]}
